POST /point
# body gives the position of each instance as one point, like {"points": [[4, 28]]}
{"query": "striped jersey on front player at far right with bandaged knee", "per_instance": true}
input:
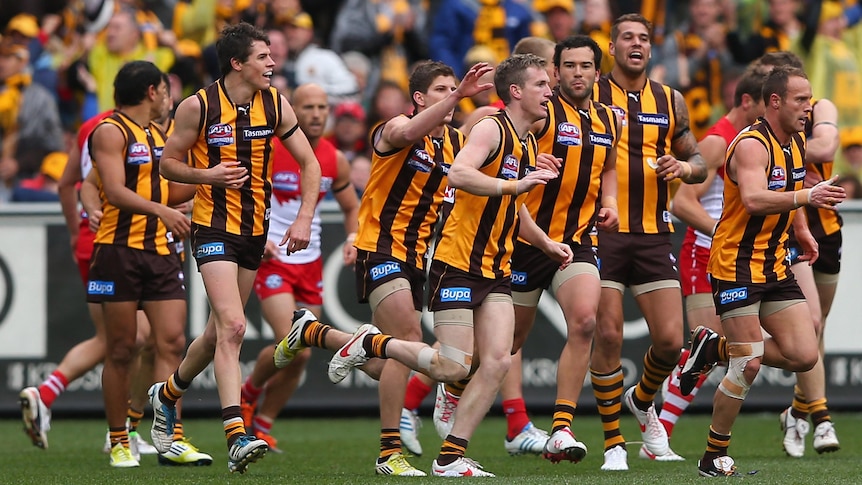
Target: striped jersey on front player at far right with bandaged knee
{"points": [[750, 248]]}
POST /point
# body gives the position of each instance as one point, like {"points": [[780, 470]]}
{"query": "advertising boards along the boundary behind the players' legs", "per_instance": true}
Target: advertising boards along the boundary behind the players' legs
{"points": [[43, 314]]}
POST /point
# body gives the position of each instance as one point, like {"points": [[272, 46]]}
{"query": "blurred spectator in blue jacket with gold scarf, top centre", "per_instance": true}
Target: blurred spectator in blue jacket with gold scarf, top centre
{"points": [[498, 24]]}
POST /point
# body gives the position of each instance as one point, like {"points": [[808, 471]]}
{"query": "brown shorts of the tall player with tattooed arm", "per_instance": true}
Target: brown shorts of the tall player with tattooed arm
{"points": [[636, 259]]}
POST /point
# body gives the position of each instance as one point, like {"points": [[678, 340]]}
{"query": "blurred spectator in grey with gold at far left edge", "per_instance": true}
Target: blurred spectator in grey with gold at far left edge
{"points": [[29, 119]]}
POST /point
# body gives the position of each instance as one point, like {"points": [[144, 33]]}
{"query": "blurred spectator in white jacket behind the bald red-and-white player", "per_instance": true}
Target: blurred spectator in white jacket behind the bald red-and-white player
{"points": [[310, 63]]}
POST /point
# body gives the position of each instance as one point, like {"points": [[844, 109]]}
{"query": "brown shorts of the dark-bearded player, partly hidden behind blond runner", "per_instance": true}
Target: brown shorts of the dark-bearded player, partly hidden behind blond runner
{"points": [[533, 269]]}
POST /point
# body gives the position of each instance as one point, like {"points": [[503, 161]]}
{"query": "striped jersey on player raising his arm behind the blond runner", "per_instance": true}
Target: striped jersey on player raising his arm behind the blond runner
{"points": [[403, 198]]}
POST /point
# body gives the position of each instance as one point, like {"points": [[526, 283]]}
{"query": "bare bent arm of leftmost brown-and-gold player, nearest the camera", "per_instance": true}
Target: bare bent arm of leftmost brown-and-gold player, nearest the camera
{"points": [[108, 148]]}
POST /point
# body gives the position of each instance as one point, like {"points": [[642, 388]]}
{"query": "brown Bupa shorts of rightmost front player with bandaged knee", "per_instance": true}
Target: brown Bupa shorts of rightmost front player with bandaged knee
{"points": [[730, 295]]}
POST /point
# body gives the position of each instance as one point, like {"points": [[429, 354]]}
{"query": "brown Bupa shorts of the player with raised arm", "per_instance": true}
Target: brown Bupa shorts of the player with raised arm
{"points": [[374, 269]]}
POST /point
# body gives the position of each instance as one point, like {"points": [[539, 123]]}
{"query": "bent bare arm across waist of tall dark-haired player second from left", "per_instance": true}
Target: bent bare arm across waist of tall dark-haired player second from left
{"points": [[173, 166]]}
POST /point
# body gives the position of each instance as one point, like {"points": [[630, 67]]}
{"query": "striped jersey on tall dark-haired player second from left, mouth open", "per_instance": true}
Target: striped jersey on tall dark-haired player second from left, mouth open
{"points": [[230, 132]]}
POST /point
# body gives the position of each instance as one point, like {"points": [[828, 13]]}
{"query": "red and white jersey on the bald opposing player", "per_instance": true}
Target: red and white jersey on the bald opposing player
{"points": [[287, 197]]}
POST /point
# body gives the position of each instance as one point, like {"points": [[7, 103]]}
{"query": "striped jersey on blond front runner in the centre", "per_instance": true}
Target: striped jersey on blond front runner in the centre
{"points": [[478, 236]]}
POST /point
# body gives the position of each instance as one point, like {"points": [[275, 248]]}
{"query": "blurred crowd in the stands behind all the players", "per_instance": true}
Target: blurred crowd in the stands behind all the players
{"points": [[58, 59]]}
